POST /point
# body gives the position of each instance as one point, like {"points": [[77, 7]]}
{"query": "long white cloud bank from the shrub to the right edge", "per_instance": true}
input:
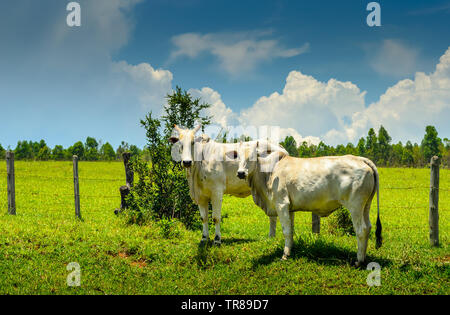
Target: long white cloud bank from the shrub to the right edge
{"points": [[335, 111]]}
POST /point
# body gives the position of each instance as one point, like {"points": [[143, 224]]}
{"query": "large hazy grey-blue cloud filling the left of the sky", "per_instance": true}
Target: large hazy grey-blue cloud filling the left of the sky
{"points": [[70, 76]]}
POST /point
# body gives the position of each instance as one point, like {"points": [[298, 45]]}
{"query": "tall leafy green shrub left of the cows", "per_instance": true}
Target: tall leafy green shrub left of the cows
{"points": [[161, 190]]}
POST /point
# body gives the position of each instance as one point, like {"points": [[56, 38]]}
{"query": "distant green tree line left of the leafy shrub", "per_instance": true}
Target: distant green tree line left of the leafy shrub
{"points": [[90, 150]]}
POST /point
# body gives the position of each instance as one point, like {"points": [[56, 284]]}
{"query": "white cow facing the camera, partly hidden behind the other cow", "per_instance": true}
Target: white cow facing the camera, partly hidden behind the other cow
{"points": [[211, 169]]}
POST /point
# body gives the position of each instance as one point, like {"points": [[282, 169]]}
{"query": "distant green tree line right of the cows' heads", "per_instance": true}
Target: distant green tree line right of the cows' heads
{"points": [[379, 149]]}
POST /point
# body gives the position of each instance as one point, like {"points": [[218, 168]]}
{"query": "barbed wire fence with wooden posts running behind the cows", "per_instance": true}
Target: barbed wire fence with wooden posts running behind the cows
{"points": [[129, 178]]}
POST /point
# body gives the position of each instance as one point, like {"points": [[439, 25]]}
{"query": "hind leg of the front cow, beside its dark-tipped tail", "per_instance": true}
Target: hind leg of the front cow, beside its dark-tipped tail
{"points": [[362, 226]]}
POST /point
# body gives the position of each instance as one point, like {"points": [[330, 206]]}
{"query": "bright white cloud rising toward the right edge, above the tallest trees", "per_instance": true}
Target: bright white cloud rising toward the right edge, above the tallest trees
{"points": [[408, 106]]}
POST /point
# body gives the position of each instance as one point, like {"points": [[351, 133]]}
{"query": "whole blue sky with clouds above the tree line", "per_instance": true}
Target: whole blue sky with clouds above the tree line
{"points": [[313, 68]]}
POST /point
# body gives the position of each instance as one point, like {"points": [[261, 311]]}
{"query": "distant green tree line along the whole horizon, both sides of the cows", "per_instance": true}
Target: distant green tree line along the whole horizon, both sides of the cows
{"points": [[377, 147]]}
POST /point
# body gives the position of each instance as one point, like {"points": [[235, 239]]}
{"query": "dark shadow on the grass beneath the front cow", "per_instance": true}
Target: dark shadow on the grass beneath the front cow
{"points": [[320, 252]]}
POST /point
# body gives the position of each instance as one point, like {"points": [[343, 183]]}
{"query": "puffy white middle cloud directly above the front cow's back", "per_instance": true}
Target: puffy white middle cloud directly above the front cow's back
{"points": [[307, 105]]}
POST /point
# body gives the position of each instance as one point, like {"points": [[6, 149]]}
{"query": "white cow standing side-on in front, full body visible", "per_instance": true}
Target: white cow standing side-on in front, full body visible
{"points": [[283, 184]]}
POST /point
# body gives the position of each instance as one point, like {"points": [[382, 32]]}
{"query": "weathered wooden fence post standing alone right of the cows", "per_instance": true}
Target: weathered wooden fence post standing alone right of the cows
{"points": [[434, 201]]}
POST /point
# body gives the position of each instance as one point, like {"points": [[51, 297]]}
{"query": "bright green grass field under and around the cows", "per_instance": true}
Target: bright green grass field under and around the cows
{"points": [[115, 258]]}
